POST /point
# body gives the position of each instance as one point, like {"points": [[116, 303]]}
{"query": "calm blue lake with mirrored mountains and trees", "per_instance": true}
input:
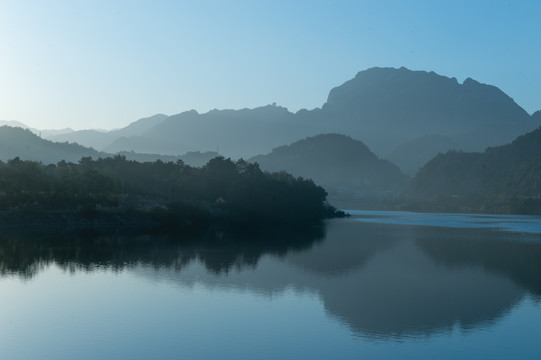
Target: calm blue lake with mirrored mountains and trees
{"points": [[376, 285]]}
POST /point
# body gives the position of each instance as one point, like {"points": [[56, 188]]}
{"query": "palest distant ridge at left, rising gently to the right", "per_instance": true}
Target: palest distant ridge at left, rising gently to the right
{"points": [[101, 139]]}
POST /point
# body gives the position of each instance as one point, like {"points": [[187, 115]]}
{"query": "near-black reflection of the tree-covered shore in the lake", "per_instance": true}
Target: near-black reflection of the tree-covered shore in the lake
{"points": [[218, 250]]}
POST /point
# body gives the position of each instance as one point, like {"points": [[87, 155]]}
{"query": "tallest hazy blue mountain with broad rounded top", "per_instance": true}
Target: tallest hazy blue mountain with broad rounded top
{"points": [[385, 107]]}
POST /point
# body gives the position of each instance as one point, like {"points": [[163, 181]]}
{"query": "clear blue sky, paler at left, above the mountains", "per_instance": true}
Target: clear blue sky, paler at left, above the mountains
{"points": [[104, 64]]}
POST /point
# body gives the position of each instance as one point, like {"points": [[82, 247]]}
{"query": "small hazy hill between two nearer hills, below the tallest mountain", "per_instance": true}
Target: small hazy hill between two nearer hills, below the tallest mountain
{"points": [[412, 155]]}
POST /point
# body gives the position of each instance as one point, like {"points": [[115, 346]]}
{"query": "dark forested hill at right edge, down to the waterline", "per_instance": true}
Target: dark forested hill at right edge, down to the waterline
{"points": [[502, 179]]}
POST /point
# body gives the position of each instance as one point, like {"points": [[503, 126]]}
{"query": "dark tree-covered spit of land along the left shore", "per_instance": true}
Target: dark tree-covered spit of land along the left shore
{"points": [[171, 194]]}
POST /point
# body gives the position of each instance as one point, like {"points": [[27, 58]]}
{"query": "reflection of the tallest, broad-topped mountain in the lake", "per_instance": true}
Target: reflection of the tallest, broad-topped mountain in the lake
{"points": [[403, 292]]}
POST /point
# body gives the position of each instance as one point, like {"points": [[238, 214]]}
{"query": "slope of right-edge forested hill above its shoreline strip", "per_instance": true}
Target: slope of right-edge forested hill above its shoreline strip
{"points": [[512, 170]]}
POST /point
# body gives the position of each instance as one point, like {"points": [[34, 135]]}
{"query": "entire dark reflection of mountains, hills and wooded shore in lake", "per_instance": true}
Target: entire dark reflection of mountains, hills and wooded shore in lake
{"points": [[381, 280]]}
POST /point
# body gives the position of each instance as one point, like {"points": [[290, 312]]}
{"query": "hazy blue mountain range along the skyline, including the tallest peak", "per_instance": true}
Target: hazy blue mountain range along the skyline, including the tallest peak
{"points": [[383, 107]]}
